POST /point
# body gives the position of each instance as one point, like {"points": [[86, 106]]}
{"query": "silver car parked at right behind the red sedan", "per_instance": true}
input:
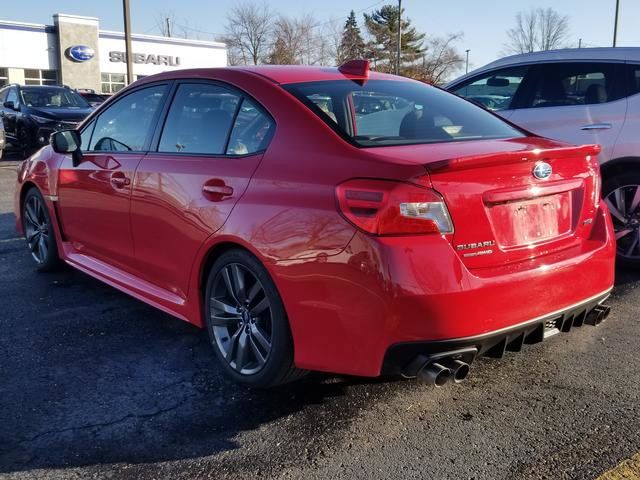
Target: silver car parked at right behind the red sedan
{"points": [[587, 95]]}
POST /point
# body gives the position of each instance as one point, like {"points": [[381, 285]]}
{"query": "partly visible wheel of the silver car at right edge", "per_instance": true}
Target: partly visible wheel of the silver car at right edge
{"points": [[622, 195]]}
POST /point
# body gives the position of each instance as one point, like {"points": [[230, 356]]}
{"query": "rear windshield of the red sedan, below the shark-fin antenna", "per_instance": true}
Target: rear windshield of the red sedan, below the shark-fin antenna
{"points": [[391, 112]]}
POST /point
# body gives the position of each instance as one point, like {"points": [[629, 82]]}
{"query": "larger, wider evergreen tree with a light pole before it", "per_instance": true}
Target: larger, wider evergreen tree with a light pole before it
{"points": [[382, 25]]}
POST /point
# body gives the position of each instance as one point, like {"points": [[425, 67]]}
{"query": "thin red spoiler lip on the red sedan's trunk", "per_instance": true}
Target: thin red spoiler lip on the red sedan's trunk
{"points": [[498, 158]]}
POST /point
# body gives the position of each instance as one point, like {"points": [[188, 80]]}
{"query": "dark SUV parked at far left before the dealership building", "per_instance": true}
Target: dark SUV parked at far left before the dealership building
{"points": [[31, 113]]}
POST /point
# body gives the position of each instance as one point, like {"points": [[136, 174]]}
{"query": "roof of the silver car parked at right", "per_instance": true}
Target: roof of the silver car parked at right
{"points": [[620, 54]]}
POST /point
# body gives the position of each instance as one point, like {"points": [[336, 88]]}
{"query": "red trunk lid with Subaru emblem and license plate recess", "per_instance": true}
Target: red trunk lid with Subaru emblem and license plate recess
{"points": [[501, 211]]}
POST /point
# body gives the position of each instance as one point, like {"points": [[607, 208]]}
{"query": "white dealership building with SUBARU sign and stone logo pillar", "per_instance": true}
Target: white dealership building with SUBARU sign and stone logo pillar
{"points": [[75, 52]]}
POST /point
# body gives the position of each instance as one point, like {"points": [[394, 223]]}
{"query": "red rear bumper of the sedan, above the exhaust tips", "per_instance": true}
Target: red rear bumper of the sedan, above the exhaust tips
{"points": [[347, 311]]}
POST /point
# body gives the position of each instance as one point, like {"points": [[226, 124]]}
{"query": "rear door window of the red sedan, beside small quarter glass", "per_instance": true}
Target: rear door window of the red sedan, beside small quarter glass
{"points": [[199, 120]]}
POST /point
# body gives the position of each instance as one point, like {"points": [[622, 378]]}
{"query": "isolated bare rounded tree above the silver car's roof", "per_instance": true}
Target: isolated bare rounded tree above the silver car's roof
{"points": [[537, 29]]}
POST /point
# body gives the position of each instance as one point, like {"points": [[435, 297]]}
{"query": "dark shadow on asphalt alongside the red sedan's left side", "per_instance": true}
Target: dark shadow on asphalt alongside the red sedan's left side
{"points": [[91, 376]]}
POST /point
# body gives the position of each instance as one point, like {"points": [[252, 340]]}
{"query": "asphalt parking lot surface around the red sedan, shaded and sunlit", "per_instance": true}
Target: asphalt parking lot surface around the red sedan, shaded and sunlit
{"points": [[94, 384]]}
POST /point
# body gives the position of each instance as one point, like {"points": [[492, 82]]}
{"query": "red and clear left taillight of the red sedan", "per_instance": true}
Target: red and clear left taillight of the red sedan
{"points": [[384, 207]]}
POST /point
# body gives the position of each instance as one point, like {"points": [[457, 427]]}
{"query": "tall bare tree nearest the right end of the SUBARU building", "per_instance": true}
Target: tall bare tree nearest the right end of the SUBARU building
{"points": [[248, 32]]}
